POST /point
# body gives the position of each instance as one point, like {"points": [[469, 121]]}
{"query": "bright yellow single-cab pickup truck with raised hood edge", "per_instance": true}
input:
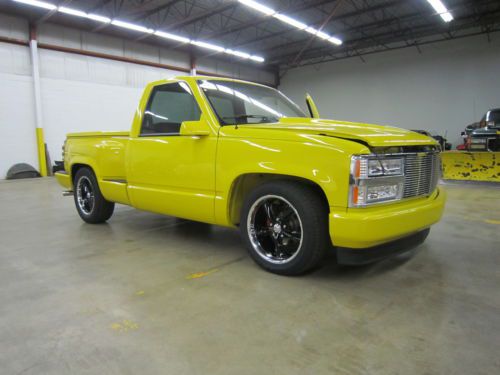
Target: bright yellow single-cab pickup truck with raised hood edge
{"points": [[243, 155]]}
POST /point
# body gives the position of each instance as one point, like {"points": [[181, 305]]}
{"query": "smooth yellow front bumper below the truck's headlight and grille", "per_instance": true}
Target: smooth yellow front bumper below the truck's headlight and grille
{"points": [[359, 228]]}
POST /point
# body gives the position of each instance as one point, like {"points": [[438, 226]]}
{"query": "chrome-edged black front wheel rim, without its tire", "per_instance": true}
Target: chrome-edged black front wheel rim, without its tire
{"points": [[275, 229]]}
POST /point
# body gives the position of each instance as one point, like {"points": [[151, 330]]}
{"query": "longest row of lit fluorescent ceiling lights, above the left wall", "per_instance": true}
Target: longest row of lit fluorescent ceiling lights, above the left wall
{"points": [[135, 27]]}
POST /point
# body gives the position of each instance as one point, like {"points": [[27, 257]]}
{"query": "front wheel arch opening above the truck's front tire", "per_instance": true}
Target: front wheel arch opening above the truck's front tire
{"points": [[245, 183]]}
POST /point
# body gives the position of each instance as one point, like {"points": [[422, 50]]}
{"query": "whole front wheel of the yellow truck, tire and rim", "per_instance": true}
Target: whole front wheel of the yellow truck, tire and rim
{"points": [[299, 205]]}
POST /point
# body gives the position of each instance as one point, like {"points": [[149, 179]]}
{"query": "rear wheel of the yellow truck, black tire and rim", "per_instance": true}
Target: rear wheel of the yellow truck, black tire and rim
{"points": [[89, 202]]}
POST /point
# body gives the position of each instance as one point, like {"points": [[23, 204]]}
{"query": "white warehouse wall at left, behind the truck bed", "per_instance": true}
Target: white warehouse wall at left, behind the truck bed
{"points": [[80, 93]]}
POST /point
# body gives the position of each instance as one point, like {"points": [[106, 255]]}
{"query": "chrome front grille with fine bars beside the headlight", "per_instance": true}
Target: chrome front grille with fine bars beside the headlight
{"points": [[422, 172]]}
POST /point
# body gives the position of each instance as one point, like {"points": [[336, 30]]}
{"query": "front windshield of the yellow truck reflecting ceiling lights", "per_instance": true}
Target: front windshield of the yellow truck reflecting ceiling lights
{"points": [[238, 103]]}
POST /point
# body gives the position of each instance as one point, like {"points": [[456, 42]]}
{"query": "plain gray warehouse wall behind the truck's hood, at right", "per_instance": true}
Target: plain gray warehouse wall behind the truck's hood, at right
{"points": [[443, 88]]}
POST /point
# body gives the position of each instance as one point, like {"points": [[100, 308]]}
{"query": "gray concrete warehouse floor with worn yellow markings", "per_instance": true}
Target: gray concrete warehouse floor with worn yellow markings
{"points": [[147, 294]]}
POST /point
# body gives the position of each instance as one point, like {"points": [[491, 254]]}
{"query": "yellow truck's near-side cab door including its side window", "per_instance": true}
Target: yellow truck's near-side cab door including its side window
{"points": [[167, 172]]}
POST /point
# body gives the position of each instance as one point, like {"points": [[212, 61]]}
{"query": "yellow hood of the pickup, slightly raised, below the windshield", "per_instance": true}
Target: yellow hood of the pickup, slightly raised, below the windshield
{"points": [[373, 135]]}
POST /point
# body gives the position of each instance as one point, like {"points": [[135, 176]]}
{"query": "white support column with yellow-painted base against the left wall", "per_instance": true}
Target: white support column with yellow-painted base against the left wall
{"points": [[40, 140]]}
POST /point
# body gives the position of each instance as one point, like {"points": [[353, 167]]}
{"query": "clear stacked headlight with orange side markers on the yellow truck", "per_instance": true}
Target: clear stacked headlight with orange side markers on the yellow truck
{"points": [[375, 180]]}
